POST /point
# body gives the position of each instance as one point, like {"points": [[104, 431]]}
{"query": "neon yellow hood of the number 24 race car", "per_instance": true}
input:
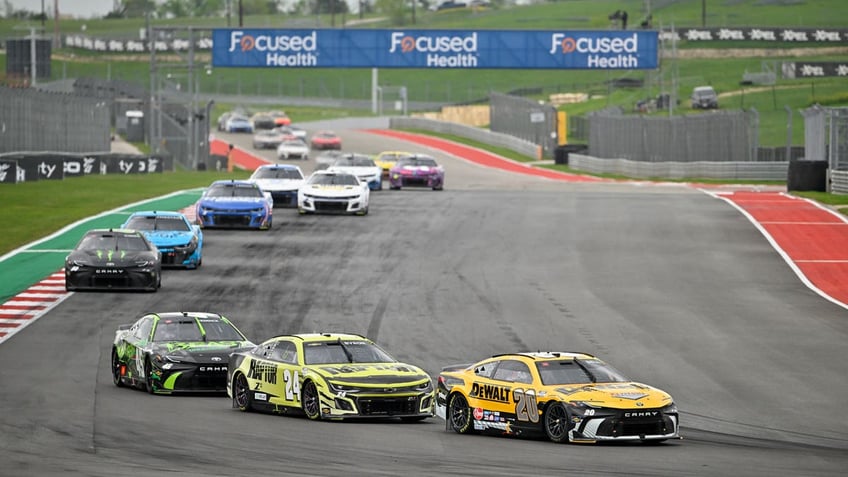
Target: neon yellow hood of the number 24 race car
{"points": [[377, 374]]}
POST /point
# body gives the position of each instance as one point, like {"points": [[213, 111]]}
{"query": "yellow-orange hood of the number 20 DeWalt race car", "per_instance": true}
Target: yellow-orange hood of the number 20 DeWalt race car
{"points": [[628, 395]]}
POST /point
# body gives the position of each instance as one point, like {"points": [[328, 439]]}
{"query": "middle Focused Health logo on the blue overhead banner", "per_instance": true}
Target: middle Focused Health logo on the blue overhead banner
{"points": [[443, 51]]}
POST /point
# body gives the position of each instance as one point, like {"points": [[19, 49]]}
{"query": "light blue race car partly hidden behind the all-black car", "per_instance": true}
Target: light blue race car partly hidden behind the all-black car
{"points": [[180, 241]]}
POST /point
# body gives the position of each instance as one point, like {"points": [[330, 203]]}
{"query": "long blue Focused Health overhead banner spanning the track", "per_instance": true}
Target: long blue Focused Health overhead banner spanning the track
{"points": [[480, 49]]}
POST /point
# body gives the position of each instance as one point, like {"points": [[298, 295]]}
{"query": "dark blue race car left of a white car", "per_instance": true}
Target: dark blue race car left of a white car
{"points": [[235, 204]]}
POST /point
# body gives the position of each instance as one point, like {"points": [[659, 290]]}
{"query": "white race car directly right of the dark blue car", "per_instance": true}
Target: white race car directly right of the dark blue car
{"points": [[333, 192]]}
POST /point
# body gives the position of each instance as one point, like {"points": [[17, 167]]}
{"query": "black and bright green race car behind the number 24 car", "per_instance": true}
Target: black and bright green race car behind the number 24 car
{"points": [[173, 352]]}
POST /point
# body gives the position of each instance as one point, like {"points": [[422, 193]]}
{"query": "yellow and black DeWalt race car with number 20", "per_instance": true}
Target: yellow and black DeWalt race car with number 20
{"points": [[570, 397]]}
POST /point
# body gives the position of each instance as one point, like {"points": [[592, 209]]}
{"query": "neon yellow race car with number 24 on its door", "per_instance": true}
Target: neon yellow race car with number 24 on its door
{"points": [[328, 376]]}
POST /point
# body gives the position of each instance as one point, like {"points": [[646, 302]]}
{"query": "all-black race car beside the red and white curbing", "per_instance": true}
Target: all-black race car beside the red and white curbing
{"points": [[108, 259]]}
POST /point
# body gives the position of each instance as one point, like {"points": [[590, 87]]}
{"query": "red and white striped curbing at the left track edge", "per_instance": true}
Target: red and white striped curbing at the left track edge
{"points": [[27, 306]]}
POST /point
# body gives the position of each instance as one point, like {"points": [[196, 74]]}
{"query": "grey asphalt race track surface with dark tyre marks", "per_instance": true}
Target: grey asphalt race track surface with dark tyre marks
{"points": [[675, 288]]}
